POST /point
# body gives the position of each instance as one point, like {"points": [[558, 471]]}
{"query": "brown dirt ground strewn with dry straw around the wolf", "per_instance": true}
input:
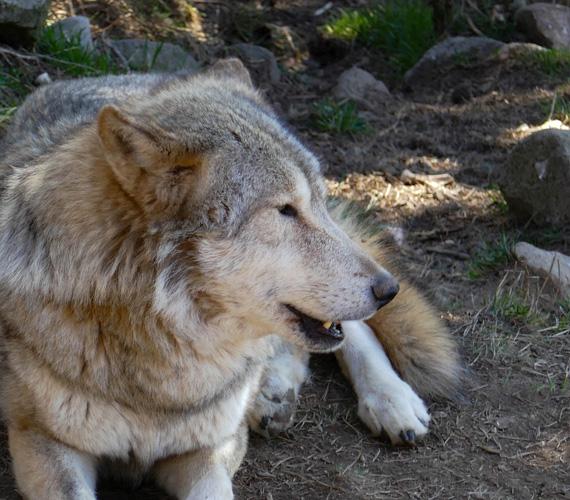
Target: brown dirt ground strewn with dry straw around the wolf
{"points": [[508, 437]]}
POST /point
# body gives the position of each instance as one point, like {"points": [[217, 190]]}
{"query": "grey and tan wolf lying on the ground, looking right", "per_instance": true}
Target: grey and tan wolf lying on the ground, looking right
{"points": [[168, 260]]}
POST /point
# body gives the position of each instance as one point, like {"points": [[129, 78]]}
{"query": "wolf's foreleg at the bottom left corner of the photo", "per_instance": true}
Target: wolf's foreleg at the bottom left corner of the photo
{"points": [[47, 469]]}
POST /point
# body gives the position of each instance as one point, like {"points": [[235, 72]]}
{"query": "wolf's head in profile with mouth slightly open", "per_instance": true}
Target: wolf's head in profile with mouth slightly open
{"points": [[239, 207]]}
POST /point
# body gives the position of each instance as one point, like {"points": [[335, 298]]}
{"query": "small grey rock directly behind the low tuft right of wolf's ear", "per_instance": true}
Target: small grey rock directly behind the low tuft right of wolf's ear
{"points": [[360, 86]]}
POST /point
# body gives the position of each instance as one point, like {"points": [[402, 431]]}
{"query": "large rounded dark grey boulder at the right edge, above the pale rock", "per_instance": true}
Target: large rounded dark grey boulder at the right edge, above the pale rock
{"points": [[536, 179]]}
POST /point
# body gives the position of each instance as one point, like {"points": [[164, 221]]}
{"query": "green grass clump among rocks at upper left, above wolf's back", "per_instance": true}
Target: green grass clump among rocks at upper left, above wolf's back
{"points": [[70, 57]]}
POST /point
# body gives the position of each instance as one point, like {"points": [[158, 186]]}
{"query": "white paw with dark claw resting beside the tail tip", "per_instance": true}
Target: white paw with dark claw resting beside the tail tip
{"points": [[396, 409]]}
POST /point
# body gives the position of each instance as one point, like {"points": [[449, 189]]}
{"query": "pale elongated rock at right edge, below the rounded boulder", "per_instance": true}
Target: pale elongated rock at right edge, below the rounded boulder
{"points": [[553, 264]]}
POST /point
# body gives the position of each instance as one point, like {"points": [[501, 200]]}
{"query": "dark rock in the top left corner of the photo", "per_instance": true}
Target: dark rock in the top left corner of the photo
{"points": [[21, 20]]}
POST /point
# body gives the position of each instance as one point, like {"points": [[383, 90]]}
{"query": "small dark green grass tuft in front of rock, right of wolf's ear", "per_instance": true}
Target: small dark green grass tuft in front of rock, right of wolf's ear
{"points": [[338, 117]]}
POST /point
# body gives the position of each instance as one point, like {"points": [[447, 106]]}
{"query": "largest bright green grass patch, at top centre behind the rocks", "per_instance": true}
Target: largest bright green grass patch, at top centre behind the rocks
{"points": [[403, 30]]}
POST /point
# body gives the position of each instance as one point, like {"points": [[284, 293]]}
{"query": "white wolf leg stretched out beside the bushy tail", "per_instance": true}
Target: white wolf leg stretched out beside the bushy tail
{"points": [[385, 401]]}
